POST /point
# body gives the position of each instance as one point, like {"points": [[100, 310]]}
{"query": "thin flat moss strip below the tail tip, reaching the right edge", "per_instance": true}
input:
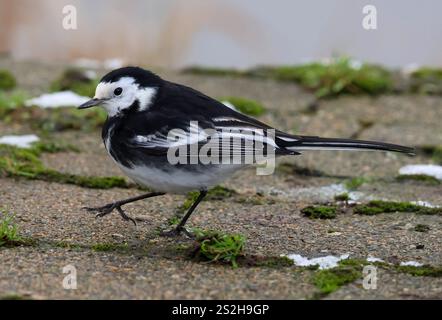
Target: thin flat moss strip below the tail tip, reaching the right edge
{"points": [[377, 206]]}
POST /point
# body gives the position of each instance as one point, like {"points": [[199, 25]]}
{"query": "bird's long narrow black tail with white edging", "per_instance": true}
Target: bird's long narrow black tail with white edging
{"points": [[318, 143]]}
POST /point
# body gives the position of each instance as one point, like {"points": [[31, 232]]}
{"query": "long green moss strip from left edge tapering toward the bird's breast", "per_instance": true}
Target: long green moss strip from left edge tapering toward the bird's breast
{"points": [[25, 163]]}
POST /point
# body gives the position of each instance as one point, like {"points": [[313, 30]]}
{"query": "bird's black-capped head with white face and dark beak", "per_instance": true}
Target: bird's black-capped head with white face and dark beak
{"points": [[125, 89]]}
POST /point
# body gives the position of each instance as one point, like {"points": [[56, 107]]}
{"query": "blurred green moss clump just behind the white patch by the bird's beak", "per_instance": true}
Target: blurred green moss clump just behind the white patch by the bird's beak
{"points": [[77, 81]]}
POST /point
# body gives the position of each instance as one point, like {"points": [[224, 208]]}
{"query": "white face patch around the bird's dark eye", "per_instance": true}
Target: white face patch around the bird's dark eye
{"points": [[131, 91]]}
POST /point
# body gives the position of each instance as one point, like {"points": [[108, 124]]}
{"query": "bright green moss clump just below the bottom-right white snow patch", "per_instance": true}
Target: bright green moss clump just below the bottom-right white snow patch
{"points": [[330, 280]]}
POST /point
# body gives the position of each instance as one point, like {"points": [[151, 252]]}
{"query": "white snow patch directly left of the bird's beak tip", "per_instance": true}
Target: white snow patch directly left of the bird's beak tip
{"points": [[57, 99]]}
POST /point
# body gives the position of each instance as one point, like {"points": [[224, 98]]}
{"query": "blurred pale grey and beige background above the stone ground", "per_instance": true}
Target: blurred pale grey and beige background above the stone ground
{"points": [[227, 33]]}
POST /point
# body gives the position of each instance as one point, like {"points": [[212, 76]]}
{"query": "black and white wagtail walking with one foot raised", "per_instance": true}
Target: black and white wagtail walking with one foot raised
{"points": [[148, 116]]}
